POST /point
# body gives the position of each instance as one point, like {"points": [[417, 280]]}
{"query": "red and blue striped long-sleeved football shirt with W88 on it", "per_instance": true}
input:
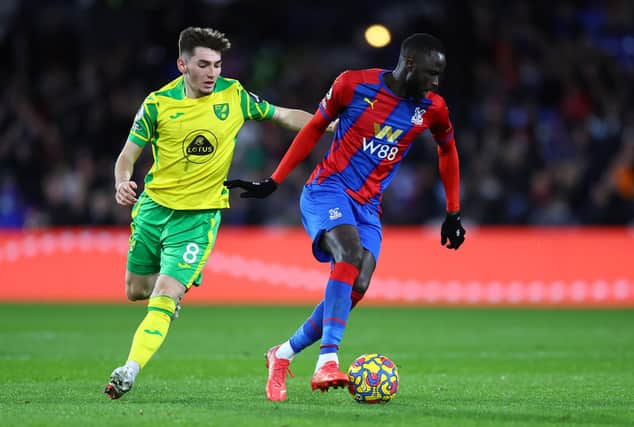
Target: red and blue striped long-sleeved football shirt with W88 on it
{"points": [[375, 131]]}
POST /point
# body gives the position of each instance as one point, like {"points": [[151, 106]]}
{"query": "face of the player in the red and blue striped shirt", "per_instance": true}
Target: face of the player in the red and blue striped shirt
{"points": [[424, 73]]}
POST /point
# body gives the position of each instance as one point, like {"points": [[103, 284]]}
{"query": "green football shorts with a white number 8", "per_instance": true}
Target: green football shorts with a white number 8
{"points": [[175, 243]]}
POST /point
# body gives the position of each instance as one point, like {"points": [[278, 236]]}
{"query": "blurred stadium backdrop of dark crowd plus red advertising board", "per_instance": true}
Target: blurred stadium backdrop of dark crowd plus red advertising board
{"points": [[539, 91]]}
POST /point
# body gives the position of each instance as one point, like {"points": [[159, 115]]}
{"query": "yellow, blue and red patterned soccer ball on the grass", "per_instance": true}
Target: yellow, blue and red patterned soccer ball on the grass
{"points": [[373, 379]]}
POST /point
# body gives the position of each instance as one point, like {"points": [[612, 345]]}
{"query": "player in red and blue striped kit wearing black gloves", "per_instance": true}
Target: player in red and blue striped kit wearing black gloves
{"points": [[380, 114]]}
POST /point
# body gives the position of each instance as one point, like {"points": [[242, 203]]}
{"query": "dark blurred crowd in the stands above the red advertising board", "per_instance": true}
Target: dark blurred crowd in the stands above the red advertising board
{"points": [[540, 94]]}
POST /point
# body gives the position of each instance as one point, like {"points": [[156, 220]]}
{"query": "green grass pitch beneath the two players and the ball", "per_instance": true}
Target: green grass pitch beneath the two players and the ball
{"points": [[458, 367]]}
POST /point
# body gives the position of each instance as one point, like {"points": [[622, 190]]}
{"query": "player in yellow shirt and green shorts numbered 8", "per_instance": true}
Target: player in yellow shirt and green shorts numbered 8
{"points": [[191, 124]]}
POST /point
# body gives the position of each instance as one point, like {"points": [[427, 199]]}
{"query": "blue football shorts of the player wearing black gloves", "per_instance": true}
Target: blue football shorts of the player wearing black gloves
{"points": [[323, 208]]}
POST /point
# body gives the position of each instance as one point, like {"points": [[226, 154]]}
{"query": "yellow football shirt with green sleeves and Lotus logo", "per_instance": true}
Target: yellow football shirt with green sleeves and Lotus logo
{"points": [[193, 141]]}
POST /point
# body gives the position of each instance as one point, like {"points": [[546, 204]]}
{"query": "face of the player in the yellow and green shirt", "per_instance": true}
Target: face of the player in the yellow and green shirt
{"points": [[201, 70]]}
